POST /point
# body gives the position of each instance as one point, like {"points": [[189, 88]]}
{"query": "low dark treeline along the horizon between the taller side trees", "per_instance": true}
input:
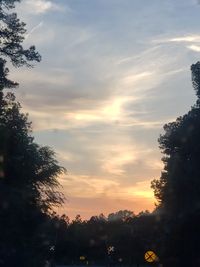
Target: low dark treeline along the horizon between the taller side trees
{"points": [[88, 241]]}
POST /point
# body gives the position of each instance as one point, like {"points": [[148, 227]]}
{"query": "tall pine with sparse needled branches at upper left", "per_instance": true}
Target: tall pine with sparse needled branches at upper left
{"points": [[12, 35]]}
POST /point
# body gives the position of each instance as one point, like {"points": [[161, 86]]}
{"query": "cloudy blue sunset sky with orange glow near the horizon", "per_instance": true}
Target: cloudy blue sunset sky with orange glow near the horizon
{"points": [[113, 72]]}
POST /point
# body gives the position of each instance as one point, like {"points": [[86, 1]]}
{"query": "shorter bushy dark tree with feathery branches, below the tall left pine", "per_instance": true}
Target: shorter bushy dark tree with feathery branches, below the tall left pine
{"points": [[28, 188]]}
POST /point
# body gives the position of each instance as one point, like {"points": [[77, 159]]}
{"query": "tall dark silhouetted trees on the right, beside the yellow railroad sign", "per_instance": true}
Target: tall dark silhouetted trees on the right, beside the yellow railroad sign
{"points": [[178, 189]]}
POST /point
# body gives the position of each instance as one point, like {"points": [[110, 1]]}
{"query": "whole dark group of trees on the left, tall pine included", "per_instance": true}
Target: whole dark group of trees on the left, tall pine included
{"points": [[28, 172]]}
